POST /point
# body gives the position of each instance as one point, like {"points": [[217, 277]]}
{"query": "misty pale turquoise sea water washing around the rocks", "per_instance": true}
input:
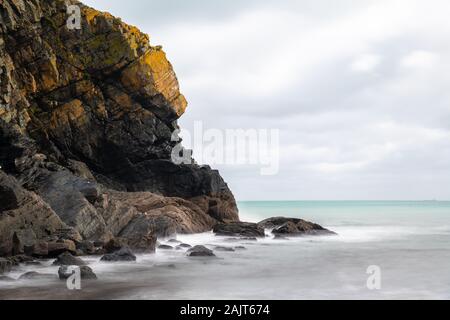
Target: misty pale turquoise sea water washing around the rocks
{"points": [[408, 241]]}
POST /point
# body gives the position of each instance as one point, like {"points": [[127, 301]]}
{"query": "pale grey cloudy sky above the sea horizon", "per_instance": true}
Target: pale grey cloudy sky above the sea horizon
{"points": [[358, 89]]}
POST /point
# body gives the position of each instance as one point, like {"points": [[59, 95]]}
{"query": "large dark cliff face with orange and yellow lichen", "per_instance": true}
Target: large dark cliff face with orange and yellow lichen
{"points": [[86, 119]]}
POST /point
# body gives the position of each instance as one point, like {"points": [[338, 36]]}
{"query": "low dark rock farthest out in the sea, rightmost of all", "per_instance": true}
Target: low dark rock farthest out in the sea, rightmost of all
{"points": [[293, 227]]}
